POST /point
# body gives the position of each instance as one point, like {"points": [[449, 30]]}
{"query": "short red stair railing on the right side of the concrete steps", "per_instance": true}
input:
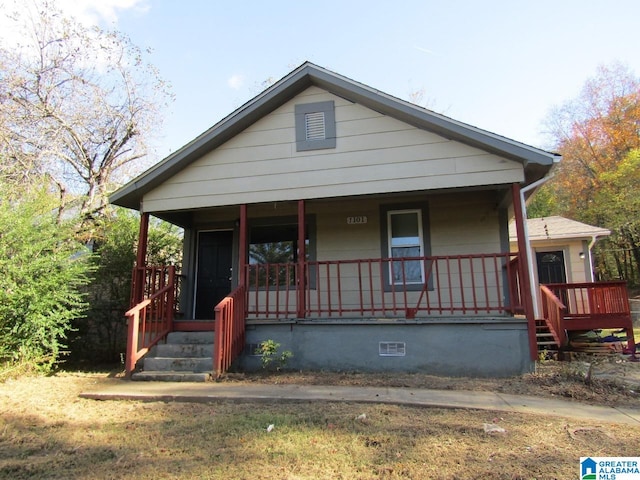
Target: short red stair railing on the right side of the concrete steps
{"points": [[229, 336]]}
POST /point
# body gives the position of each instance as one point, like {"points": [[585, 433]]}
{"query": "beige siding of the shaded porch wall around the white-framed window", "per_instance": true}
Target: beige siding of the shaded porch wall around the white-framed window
{"points": [[466, 223]]}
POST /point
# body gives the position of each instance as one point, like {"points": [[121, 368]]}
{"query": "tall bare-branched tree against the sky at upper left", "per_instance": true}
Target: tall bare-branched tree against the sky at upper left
{"points": [[77, 106]]}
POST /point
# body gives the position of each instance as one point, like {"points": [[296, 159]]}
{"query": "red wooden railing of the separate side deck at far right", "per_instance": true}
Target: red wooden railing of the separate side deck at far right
{"points": [[589, 306]]}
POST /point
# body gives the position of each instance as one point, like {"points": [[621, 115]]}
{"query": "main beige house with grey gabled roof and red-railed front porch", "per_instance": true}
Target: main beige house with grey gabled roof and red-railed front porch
{"points": [[359, 231]]}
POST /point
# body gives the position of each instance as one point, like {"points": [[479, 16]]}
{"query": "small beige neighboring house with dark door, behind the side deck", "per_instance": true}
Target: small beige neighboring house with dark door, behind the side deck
{"points": [[561, 249]]}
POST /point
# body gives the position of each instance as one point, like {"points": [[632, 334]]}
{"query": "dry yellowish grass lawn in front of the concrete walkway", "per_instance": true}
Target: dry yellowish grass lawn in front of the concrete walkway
{"points": [[47, 431]]}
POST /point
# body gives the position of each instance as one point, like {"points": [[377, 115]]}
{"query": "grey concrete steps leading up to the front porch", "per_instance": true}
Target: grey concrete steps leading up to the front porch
{"points": [[185, 357]]}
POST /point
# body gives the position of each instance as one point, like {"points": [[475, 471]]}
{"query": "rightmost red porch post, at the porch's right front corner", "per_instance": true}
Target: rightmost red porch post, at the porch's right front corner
{"points": [[523, 266]]}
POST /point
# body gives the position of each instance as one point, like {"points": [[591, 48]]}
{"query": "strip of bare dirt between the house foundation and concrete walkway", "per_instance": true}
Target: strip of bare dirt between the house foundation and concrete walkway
{"points": [[609, 380]]}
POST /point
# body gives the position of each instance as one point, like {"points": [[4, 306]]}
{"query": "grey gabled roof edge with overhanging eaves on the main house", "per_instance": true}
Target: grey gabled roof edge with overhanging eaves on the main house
{"points": [[537, 162]]}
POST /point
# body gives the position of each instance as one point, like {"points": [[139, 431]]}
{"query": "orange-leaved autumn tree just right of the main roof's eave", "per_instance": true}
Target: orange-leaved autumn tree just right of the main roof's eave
{"points": [[594, 133]]}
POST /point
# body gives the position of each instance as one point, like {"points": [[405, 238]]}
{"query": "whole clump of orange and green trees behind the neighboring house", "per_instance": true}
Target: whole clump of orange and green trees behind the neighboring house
{"points": [[598, 135]]}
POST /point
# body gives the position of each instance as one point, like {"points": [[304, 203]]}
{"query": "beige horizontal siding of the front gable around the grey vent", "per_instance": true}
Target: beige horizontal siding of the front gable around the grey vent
{"points": [[374, 154]]}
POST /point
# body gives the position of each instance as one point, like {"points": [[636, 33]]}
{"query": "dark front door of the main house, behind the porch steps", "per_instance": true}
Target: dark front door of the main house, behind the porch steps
{"points": [[213, 280]]}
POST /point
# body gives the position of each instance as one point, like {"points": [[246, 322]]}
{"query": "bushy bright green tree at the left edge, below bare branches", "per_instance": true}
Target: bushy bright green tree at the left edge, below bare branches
{"points": [[44, 272]]}
